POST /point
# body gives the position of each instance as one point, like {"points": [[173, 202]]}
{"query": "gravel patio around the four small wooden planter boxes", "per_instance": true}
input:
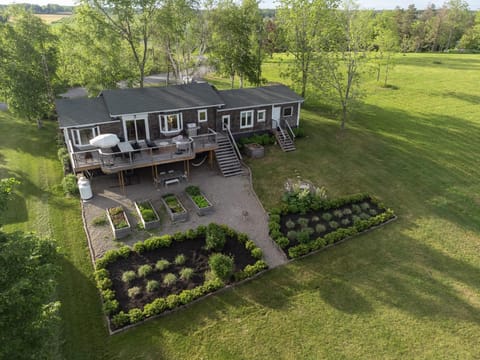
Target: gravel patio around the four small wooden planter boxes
{"points": [[231, 197]]}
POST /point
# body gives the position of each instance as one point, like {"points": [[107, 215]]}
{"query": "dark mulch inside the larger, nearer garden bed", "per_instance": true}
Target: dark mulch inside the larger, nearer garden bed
{"points": [[196, 258]]}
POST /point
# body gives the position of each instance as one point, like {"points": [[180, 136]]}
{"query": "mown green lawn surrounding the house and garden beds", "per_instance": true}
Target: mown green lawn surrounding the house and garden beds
{"points": [[408, 290]]}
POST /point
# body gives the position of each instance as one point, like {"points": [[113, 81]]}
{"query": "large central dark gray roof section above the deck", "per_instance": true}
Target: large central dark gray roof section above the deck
{"points": [[152, 99]]}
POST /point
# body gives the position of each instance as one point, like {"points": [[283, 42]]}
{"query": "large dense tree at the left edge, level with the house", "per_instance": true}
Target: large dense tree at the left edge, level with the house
{"points": [[27, 65]]}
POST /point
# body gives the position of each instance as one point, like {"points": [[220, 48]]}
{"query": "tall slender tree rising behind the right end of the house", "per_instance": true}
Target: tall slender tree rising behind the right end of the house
{"points": [[305, 23]]}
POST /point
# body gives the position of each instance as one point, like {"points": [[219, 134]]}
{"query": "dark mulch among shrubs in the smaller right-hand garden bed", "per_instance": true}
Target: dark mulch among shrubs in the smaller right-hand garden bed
{"points": [[311, 214]]}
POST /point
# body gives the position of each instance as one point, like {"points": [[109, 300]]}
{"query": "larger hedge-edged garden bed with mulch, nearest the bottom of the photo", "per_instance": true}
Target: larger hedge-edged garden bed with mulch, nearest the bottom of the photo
{"points": [[166, 272]]}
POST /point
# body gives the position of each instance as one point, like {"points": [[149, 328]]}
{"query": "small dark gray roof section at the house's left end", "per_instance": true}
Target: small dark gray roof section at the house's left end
{"points": [[81, 111]]}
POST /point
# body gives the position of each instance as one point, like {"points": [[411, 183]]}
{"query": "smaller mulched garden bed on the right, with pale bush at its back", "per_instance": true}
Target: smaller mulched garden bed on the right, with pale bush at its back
{"points": [[306, 223]]}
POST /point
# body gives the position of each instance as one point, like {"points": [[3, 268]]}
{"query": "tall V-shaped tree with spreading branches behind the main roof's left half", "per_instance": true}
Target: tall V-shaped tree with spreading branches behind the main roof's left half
{"points": [[131, 20]]}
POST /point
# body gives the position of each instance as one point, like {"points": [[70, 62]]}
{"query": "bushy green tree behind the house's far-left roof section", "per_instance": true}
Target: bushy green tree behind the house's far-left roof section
{"points": [[92, 55]]}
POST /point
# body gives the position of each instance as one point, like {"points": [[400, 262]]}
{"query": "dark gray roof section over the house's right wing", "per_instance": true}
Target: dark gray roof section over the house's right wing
{"points": [[267, 95]]}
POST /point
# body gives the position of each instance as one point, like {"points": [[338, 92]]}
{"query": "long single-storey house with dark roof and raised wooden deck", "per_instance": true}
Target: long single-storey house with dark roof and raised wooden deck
{"points": [[161, 125]]}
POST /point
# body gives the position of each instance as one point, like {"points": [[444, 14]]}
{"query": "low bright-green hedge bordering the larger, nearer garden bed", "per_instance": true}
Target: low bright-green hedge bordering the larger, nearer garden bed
{"points": [[159, 305]]}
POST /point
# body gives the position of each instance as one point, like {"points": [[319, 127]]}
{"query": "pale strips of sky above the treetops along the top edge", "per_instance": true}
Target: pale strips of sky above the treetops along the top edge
{"points": [[366, 4]]}
